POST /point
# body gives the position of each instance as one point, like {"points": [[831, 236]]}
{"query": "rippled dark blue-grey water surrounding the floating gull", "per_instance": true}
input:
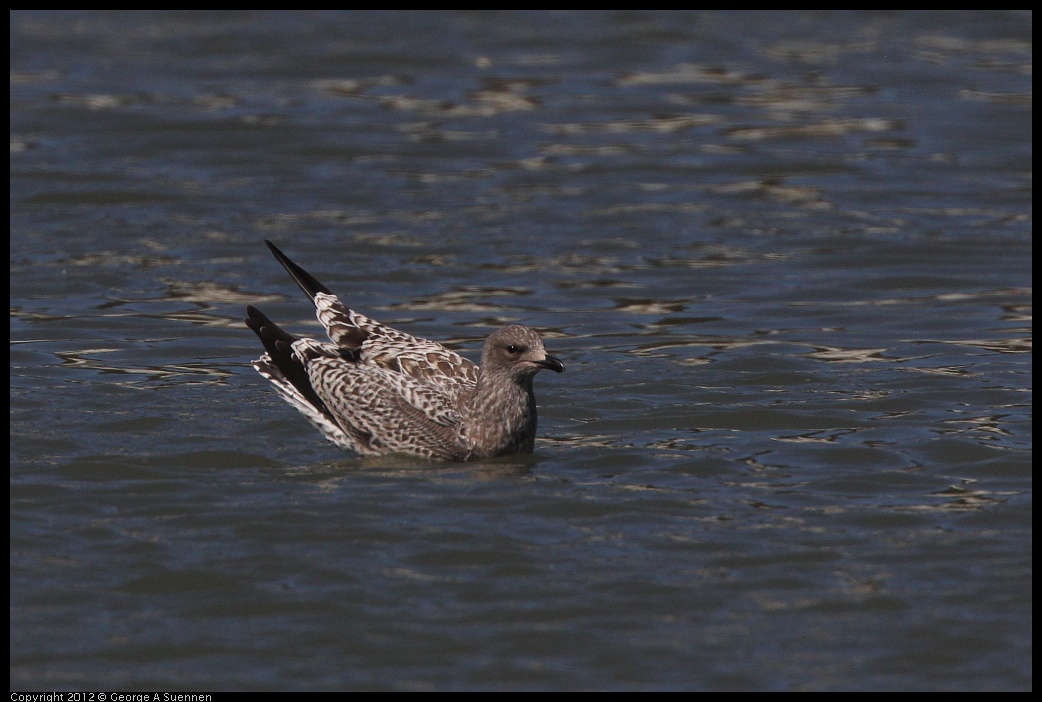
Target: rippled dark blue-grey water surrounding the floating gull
{"points": [[785, 257]]}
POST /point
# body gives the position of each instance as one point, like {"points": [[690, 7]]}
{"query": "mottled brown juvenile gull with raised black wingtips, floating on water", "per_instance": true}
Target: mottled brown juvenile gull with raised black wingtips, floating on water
{"points": [[375, 390]]}
